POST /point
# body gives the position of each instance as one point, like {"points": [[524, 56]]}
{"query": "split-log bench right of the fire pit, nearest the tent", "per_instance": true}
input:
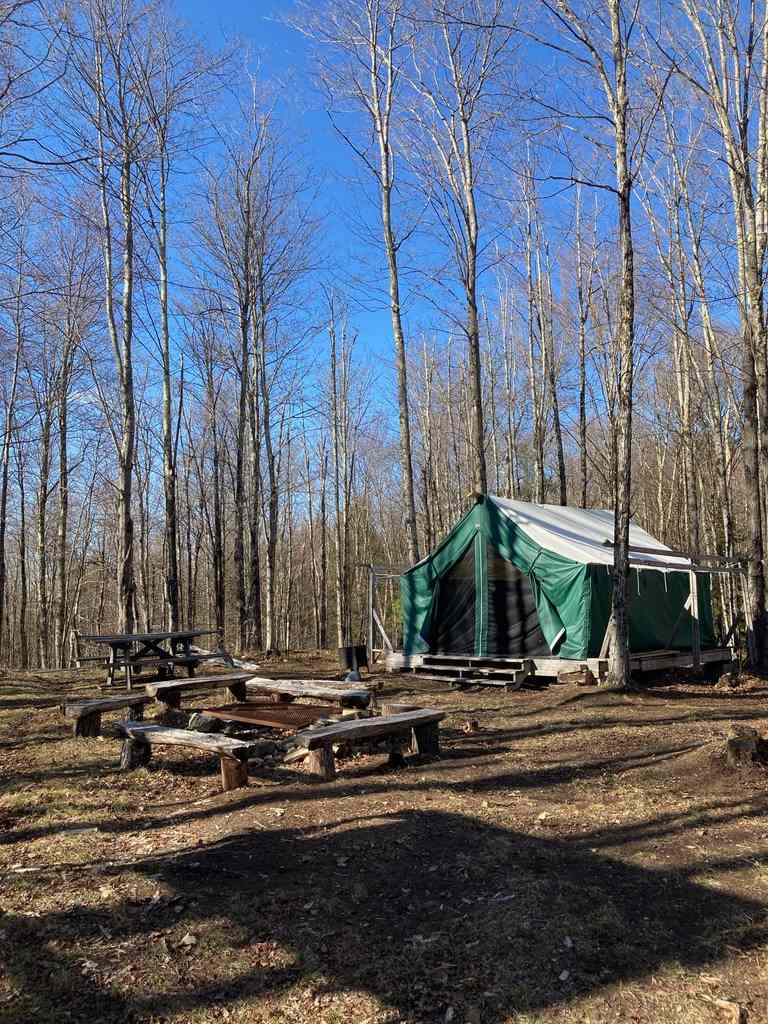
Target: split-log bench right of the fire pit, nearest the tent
{"points": [[421, 724]]}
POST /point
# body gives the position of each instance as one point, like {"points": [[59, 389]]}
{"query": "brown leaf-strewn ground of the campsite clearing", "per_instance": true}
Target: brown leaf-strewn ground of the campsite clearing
{"points": [[585, 857]]}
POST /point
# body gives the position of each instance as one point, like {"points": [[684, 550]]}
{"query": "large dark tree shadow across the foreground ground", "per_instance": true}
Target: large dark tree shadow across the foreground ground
{"points": [[422, 911]]}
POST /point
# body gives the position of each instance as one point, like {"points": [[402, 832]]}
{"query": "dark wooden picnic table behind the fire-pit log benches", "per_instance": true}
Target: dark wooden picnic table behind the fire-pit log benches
{"points": [[162, 650]]}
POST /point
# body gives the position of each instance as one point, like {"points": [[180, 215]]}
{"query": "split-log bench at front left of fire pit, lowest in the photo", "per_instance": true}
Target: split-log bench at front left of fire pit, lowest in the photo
{"points": [[140, 740]]}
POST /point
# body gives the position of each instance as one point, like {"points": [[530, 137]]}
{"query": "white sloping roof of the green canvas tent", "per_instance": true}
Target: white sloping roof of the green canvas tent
{"points": [[581, 534]]}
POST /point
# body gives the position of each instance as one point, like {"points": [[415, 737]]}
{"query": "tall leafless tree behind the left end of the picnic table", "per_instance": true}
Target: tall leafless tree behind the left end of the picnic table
{"points": [[109, 122]]}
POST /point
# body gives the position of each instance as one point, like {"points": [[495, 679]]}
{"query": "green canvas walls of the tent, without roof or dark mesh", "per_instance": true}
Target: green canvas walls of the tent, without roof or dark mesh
{"points": [[573, 599]]}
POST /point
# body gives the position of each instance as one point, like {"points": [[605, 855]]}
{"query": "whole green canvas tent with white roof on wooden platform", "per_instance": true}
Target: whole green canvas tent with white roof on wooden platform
{"points": [[519, 580]]}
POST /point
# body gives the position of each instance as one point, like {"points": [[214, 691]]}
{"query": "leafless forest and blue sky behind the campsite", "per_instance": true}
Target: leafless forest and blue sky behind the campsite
{"points": [[559, 209]]}
